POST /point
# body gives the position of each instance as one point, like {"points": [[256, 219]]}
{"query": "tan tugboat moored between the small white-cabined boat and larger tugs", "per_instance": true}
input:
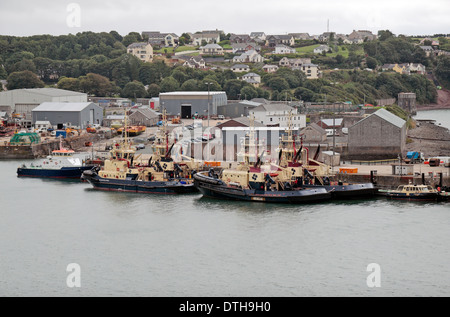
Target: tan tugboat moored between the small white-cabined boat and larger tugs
{"points": [[160, 176]]}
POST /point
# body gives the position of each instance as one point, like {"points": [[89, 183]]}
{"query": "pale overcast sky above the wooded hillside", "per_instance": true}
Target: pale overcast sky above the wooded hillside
{"points": [[409, 17]]}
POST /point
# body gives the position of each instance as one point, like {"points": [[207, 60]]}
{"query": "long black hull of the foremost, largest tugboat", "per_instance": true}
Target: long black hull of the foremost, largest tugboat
{"points": [[215, 188]]}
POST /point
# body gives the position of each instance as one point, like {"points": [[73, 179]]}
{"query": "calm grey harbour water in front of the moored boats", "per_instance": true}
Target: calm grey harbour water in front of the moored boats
{"points": [[143, 245]]}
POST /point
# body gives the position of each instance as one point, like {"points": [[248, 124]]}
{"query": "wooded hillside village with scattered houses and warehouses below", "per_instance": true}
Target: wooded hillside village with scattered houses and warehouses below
{"points": [[330, 84]]}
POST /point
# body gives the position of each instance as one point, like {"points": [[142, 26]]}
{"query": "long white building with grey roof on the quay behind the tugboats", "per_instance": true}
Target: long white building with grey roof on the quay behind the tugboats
{"points": [[278, 114]]}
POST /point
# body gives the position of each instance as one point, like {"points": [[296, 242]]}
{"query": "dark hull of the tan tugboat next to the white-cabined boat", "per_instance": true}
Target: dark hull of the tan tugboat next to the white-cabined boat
{"points": [[135, 186]]}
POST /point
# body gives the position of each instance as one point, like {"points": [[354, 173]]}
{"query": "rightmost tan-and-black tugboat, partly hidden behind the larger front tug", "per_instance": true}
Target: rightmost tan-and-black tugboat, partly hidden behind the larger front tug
{"points": [[317, 174]]}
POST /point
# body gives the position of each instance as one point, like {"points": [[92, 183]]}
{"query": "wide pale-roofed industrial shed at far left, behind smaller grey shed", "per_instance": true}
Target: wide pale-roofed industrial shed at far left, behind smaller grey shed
{"points": [[23, 101]]}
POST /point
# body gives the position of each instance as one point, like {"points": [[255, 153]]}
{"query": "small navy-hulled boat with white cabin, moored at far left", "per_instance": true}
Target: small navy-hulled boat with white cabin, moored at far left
{"points": [[61, 164]]}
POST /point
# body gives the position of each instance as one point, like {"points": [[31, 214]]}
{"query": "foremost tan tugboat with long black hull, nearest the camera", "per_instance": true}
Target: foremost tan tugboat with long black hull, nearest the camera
{"points": [[258, 182]]}
